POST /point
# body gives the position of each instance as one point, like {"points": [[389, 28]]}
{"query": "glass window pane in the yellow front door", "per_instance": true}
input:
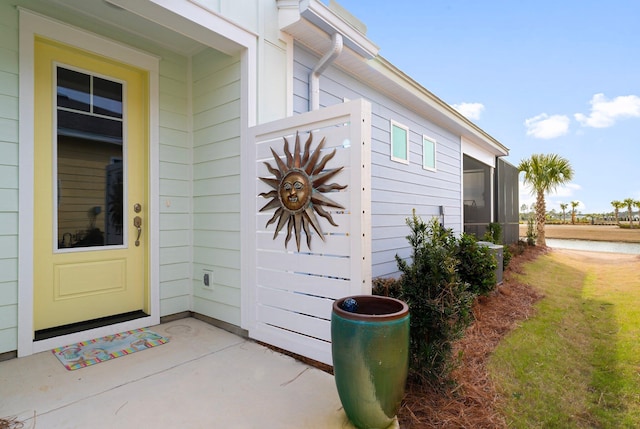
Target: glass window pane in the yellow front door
{"points": [[89, 160]]}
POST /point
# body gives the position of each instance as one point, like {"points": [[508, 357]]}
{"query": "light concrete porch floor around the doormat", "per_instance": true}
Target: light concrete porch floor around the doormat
{"points": [[204, 377]]}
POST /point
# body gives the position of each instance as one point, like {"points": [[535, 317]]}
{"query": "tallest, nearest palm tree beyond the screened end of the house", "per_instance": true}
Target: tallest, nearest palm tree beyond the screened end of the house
{"points": [[544, 172]]}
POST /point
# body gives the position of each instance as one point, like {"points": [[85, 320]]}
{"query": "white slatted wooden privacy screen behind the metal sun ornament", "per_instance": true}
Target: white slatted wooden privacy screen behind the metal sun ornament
{"points": [[287, 295]]}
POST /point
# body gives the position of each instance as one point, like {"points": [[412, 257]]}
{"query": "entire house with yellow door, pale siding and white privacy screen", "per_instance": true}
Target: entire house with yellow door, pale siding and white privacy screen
{"points": [[134, 144]]}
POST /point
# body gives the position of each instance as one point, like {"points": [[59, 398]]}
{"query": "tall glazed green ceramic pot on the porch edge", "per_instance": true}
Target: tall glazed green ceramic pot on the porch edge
{"points": [[370, 350]]}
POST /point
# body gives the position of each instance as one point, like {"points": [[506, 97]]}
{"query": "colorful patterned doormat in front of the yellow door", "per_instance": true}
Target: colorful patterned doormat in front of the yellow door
{"points": [[106, 348]]}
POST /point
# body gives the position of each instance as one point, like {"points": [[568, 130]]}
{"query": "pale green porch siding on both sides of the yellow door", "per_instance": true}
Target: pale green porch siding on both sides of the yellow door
{"points": [[183, 182]]}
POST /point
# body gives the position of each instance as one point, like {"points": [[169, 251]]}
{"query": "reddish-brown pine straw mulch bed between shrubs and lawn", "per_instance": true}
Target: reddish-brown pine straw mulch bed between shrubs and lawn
{"points": [[471, 401]]}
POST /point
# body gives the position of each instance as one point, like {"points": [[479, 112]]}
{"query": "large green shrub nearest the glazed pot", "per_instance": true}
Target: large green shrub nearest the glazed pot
{"points": [[439, 301]]}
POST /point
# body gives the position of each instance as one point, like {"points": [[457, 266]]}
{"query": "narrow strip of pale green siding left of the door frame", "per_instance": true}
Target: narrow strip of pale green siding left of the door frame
{"points": [[8, 177]]}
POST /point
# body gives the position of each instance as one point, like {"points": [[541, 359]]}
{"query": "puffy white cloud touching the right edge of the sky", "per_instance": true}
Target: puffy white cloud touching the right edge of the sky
{"points": [[604, 112]]}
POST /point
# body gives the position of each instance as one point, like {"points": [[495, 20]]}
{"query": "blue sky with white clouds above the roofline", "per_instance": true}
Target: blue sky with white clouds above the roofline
{"points": [[540, 76]]}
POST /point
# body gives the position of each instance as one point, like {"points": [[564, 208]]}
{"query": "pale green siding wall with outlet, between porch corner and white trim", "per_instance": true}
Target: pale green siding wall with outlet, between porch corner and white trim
{"points": [[216, 185]]}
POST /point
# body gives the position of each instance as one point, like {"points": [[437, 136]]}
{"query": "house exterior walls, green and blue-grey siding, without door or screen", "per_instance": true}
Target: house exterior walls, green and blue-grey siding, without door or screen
{"points": [[207, 100]]}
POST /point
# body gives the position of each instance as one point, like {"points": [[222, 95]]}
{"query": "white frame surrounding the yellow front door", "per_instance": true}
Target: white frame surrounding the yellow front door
{"points": [[32, 24]]}
